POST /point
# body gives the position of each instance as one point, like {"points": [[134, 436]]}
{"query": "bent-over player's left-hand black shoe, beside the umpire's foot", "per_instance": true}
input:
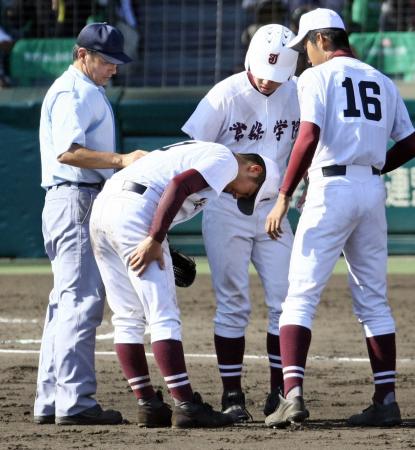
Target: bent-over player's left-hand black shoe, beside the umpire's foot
{"points": [[154, 412]]}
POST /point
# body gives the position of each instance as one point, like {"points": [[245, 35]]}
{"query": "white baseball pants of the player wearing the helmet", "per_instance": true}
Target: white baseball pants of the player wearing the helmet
{"points": [[233, 239]]}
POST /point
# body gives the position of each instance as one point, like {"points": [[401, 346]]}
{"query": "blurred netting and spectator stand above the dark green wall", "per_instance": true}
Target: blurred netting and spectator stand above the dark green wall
{"points": [[187, 42]]}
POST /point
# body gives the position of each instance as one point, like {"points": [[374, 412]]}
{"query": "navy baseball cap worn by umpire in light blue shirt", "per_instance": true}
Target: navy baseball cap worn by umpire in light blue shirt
{"points": [[105, 40]]}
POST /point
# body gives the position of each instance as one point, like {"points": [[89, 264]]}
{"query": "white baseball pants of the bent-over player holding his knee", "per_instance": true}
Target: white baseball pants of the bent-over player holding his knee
{"points": [[120, 220]]}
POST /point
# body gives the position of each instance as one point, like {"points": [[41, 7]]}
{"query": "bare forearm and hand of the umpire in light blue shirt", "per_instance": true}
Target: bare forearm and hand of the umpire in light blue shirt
{"points": [[85, 158]]}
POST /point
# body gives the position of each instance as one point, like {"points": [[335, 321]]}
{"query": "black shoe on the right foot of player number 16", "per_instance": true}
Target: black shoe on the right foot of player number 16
{"points": [[377, 415]]}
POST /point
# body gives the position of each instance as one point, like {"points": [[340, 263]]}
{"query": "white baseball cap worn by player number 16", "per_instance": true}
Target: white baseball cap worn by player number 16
{"points": [[315, 20]]}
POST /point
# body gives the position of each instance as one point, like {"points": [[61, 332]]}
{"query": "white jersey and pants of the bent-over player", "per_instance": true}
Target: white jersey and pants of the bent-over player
{"points": [[121, 219]]}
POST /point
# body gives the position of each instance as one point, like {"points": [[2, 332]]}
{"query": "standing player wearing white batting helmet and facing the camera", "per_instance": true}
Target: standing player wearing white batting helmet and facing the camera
{"points": [[256, 111]]}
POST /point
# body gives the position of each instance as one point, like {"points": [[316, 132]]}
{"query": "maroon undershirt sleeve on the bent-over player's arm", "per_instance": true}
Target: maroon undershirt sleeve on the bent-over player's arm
{"points": [[176, 192]]}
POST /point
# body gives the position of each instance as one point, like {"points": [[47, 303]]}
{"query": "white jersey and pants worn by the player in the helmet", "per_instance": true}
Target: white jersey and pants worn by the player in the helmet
{"points": [[235, 114]]}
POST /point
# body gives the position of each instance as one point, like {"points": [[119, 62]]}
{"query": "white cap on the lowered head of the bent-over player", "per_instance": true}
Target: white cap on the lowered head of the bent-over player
{"points": [[267, 190]]}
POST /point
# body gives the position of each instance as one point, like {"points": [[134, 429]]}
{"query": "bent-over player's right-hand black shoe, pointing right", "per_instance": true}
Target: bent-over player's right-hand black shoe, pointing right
{"points": [[196, 414]]}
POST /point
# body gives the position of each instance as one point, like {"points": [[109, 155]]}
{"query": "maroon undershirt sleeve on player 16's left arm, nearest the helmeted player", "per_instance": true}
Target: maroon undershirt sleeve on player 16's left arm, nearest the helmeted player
{"points": [[301, 156]]}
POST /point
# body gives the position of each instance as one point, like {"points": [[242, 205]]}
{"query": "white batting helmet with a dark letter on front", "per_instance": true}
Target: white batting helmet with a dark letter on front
{"points": [[268, 56]]}
